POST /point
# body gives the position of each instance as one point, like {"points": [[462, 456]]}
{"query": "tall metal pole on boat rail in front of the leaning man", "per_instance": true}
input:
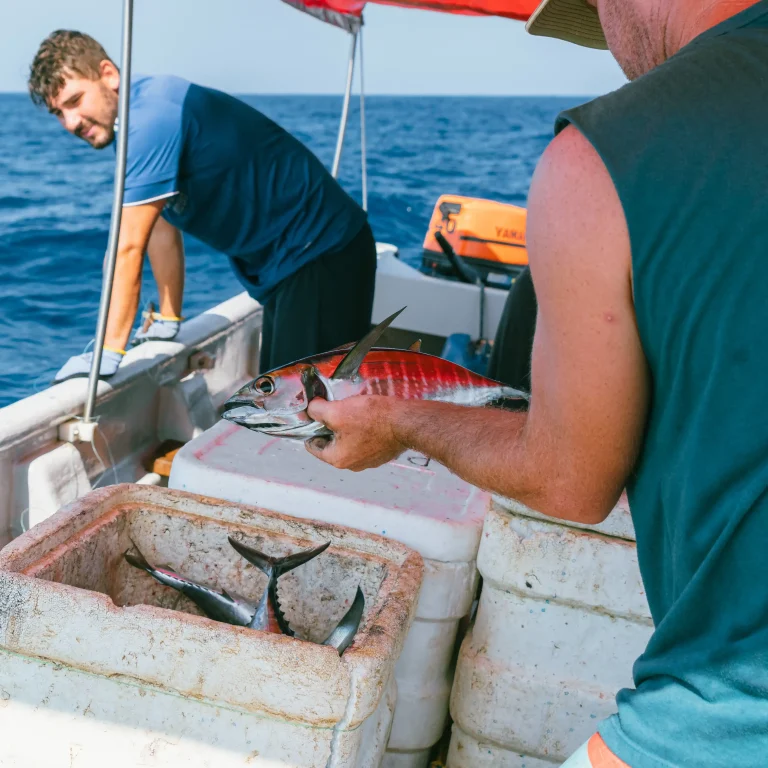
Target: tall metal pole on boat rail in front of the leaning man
{"points": [[117, 208]]}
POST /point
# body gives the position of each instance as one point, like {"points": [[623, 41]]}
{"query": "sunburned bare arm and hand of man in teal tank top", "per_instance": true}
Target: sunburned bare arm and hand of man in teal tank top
{"points": [[571, 454]]}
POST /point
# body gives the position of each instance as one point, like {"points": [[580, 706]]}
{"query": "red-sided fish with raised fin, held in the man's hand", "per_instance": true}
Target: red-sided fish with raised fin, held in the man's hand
{"points": [[276, 402]]}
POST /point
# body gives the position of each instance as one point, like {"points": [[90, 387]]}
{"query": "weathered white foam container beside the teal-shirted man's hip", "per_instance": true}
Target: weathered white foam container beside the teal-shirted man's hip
{"points": [[561, 619]]}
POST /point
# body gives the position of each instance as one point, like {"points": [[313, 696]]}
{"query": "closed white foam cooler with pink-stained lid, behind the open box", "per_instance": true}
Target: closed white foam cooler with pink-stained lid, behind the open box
{"points": [[416, 502]]}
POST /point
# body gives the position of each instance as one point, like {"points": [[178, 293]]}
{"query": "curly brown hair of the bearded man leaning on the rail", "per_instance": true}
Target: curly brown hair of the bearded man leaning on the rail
{"points": [[63, 53]]}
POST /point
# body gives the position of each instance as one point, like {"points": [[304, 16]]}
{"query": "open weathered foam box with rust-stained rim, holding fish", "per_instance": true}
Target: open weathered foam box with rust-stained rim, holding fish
{"points": [[95, 669]]}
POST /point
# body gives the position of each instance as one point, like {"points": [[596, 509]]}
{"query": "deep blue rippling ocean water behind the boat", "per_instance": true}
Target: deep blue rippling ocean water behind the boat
{"points": [[55, 200]]}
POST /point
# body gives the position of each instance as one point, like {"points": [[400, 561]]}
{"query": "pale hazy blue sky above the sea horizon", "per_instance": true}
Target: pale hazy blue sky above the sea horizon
{"points": [[264, 46]]}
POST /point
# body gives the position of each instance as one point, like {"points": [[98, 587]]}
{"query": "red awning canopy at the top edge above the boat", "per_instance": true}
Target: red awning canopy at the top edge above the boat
{"points": [[348, 13]]}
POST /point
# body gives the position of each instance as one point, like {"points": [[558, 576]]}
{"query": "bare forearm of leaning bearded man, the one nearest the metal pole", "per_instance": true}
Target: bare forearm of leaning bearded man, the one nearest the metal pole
{"points": [[136, 226]]}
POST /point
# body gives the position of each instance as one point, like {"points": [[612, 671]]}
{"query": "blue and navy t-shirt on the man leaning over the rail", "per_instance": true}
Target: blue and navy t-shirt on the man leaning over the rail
{"points": [[235, 180]]}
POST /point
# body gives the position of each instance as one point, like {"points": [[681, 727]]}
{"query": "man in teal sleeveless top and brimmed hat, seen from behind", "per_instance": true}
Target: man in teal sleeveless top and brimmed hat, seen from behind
{"points": [[648, 243]]}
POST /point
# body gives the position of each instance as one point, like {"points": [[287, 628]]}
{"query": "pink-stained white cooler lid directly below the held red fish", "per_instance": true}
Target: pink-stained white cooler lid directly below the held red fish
{"points": [[412, 499]]}
